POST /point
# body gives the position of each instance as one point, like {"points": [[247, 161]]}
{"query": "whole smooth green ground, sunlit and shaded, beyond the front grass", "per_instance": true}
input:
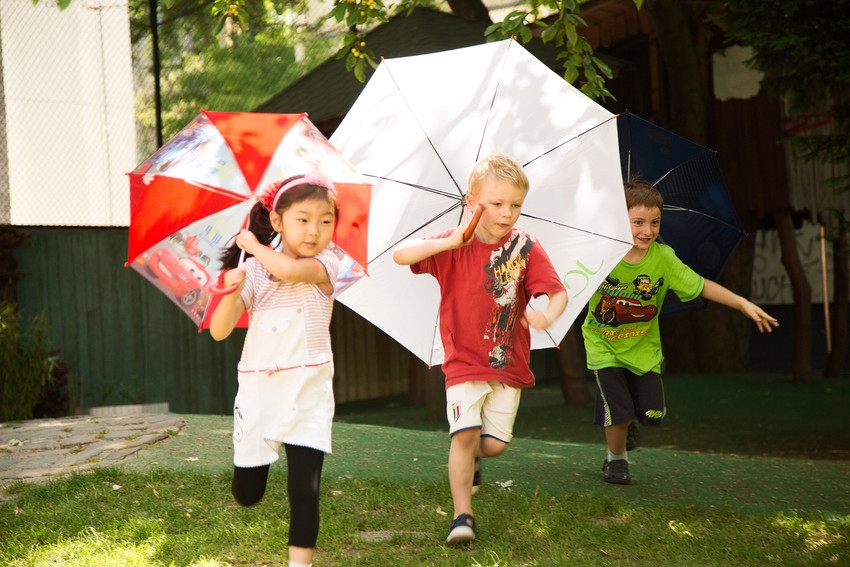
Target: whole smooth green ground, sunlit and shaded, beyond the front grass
{"points": [[755, 443]]}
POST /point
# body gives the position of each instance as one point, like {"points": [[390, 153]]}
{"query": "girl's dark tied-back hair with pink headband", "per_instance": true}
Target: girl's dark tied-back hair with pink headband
{"points": [[261, 225]]}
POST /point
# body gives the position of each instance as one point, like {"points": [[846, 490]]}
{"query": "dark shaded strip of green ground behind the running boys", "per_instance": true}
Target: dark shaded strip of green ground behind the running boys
{"points": [[756, 415]]}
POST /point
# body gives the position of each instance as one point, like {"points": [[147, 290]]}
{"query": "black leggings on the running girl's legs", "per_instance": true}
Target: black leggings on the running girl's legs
{"points": [[302, 487]]}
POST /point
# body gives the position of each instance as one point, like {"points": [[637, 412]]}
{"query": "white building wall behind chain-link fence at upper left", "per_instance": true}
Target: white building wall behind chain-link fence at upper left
{"points": [[70, 131]]}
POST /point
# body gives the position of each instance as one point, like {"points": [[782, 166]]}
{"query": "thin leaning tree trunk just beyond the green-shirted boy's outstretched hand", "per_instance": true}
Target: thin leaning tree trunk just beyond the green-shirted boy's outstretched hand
{"points": [[801, 365]]}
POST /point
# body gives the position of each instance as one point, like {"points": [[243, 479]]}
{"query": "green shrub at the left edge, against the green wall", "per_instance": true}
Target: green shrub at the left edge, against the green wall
{"points": [[26, 365]]}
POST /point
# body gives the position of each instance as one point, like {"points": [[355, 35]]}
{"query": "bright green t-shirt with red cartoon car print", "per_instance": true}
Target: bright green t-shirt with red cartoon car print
{"points": [[621, 329]]}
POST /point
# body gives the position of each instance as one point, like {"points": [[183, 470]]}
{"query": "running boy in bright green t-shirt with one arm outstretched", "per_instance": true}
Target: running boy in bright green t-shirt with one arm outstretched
{"points": [[621, 333]]}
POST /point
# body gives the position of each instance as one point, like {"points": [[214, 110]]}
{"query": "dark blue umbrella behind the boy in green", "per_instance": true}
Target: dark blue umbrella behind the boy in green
{"points": [[698, 221]]}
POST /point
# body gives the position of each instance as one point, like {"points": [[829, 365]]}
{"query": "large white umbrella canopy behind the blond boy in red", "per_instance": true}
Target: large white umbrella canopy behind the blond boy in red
{"points": [[416, 131]]}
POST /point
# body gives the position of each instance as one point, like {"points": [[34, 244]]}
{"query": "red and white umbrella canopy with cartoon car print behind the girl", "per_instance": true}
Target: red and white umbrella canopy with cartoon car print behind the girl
{"points": [[191, 197]]}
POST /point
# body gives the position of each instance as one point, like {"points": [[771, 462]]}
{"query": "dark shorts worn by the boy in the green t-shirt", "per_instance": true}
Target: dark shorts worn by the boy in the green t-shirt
{"points": [[622, 395]]}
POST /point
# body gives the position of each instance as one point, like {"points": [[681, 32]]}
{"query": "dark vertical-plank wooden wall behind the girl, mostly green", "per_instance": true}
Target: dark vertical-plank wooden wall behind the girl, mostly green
{"points": [[126, 343]]}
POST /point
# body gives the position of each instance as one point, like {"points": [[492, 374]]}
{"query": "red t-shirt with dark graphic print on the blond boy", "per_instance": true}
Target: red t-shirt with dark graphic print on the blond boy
{"points": [[484, 289]]}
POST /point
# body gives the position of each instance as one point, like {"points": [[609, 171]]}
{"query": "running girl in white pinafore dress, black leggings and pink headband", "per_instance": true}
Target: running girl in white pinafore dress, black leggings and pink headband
{"points": [[285, 394]]}
